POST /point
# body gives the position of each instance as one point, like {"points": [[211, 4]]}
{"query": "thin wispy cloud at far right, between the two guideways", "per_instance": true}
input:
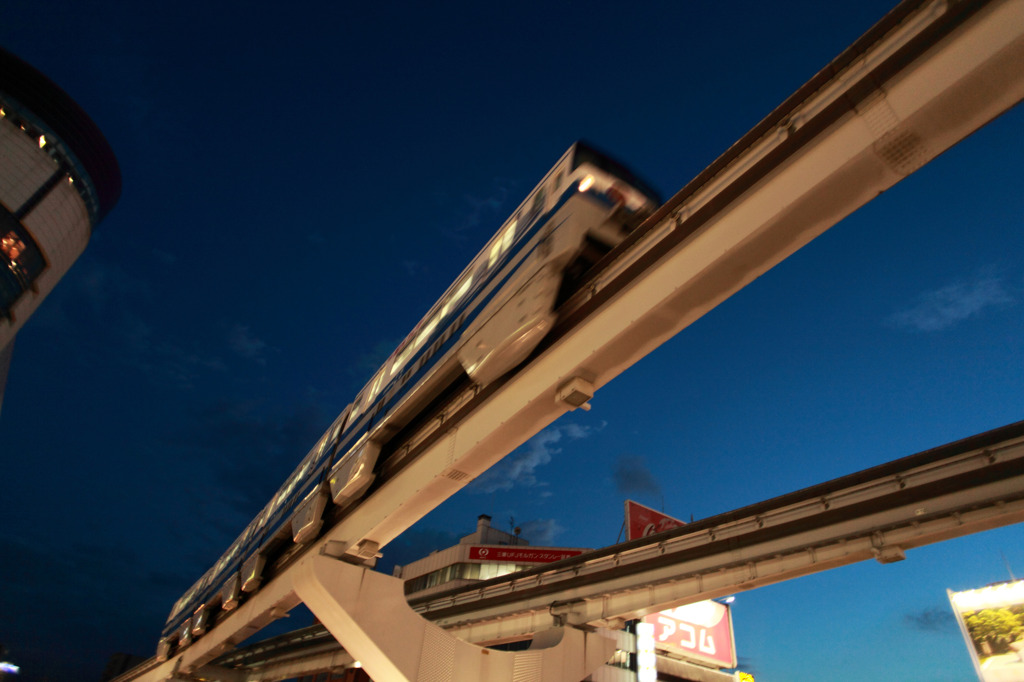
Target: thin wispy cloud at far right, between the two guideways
{"points": [[945, 308]]}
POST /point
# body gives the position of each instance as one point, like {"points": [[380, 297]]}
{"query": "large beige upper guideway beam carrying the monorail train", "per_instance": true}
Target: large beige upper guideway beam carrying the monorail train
{"points": [[923, 79]]}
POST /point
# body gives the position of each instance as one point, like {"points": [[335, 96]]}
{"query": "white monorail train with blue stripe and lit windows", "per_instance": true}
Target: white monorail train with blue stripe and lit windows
{"points": [[488, 322]]}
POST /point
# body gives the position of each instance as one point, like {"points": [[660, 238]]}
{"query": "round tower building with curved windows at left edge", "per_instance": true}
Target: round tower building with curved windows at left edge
{"points": [[59, 178]]}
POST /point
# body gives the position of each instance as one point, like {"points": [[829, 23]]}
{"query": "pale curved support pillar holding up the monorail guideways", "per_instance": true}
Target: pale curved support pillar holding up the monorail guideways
{"points": [[368, 614]]}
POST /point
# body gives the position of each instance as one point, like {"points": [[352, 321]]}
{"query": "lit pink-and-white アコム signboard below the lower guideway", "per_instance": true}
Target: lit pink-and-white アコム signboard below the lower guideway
{"points": [[702, 631]]}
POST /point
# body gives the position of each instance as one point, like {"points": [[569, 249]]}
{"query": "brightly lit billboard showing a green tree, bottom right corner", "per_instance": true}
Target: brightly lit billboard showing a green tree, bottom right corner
{"points": [[993, 622]]}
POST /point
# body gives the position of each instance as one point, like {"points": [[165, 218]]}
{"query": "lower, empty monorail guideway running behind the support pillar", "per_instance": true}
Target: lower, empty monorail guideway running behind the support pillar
{"points": [[880, 514]]}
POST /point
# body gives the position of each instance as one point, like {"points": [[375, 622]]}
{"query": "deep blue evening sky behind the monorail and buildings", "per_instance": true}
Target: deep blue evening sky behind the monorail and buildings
{"points": [[302, 181]]}
